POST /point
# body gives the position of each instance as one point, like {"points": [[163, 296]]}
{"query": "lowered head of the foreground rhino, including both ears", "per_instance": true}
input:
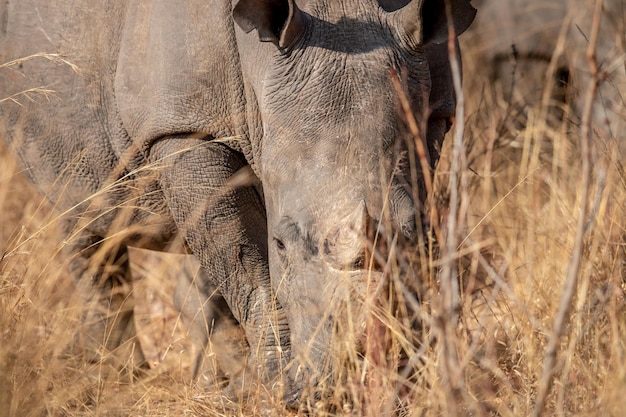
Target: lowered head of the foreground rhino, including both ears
{"points": [[332, 152]]}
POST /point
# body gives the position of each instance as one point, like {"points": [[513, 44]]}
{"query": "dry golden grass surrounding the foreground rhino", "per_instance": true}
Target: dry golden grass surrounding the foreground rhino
{"points": [[520, 200]]}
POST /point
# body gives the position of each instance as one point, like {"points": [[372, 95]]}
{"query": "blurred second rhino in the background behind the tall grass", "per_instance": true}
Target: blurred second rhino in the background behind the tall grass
{"points": [[538, 29]]}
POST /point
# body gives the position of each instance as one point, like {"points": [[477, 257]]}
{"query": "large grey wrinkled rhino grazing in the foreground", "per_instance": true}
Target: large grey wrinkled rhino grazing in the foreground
{"points": [[266, 142]]}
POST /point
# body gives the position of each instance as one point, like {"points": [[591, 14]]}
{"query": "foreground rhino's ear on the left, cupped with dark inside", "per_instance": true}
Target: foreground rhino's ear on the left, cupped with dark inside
{"points": [[276, 21]]}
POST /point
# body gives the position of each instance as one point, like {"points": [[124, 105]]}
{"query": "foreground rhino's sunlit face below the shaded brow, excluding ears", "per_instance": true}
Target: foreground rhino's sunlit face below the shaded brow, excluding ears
{"points": [[334, 140]]}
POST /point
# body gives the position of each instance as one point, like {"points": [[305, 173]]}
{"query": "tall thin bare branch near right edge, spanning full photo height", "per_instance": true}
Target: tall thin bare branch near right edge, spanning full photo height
{"points": [[573, 268]]}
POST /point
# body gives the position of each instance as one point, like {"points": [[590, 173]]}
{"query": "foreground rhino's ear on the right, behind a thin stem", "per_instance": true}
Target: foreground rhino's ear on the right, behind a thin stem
{"points": [[426, 21]]}
